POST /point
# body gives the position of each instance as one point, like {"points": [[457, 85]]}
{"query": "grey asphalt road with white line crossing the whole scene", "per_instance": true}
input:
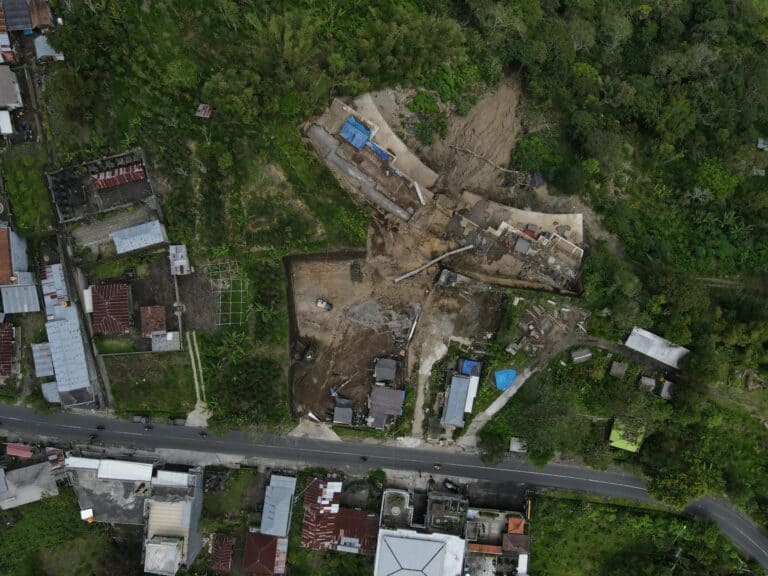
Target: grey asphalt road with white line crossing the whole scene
{"points": [[26, 423]]}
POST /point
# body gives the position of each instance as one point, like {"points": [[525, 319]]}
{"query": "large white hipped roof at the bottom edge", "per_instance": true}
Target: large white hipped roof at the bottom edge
{"points": [[409, 553]]}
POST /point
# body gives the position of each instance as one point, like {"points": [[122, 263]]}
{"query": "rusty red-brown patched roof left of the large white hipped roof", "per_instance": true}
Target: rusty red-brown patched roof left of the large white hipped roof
{"points": [[328, 526]]}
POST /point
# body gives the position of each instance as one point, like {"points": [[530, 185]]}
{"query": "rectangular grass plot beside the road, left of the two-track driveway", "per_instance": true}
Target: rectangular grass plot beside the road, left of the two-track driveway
{"points": [[155, 384]]}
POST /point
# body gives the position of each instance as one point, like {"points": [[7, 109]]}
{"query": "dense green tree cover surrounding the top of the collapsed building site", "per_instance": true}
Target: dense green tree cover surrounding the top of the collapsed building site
{"points": [[649, 110]]}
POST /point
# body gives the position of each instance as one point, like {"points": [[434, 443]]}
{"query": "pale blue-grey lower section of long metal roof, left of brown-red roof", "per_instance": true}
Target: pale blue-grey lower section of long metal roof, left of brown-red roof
{"points": [[68, 351]]}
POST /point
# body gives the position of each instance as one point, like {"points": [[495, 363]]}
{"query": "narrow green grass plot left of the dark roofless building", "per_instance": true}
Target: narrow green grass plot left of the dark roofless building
{"points": [[23, 167]]}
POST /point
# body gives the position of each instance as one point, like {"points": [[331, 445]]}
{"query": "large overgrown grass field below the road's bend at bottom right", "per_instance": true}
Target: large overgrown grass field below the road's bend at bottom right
{"points": [[575, 536]]}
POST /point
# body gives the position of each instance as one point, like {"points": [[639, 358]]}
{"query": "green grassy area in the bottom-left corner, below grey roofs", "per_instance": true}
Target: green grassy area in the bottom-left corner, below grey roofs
{"points": [[45, 524]]}
